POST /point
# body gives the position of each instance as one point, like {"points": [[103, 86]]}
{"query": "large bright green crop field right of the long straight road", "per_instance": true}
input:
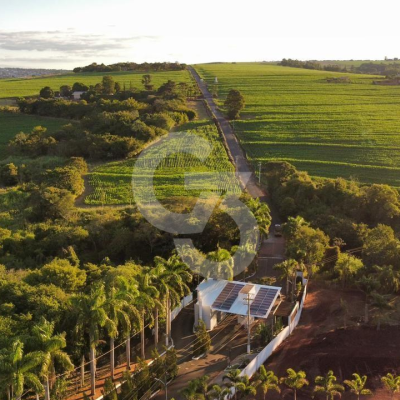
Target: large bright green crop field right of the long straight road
{"points": [[328, 129]]}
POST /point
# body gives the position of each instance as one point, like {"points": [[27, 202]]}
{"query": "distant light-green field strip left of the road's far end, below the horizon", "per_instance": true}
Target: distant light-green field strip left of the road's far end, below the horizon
{"points": [[10, 88]]}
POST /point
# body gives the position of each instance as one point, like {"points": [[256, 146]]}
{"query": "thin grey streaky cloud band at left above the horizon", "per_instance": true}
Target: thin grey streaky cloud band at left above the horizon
{"points": [[65, 42]]}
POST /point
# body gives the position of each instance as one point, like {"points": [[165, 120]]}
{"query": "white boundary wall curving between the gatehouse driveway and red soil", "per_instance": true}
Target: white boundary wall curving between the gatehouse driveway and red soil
{"points": [[265, 353]]}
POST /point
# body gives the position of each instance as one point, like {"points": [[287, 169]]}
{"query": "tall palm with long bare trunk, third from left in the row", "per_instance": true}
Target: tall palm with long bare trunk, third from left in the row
{"points": [[91, 315]]}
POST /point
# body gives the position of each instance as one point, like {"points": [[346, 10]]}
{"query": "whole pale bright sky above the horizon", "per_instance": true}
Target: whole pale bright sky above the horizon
{"points": [[70, 33]]}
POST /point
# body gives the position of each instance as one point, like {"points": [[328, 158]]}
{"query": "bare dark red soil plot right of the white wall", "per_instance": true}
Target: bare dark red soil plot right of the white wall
{"points": [[320, 343]]}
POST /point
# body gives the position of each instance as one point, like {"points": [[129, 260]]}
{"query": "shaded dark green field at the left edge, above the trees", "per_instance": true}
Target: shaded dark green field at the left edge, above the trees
{"points": [[13, 123]]}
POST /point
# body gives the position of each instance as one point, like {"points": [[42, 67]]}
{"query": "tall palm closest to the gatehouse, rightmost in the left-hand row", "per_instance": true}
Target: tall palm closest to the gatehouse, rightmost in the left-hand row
{"points": [[172, 277]]}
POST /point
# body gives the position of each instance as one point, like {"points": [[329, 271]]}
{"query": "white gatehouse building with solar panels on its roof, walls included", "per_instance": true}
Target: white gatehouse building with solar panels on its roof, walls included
{"points": [[215, 298]]}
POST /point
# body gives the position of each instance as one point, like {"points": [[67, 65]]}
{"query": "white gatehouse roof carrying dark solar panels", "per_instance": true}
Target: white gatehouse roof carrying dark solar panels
{"points": [[230, 297]]}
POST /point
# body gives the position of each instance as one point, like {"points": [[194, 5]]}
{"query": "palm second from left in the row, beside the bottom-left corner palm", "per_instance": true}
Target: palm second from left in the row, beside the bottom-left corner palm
{"points": [[50, 346]]}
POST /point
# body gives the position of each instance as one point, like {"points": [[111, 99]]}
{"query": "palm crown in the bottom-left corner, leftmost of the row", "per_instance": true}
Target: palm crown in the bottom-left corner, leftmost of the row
{"points": [[16, 370]]}
